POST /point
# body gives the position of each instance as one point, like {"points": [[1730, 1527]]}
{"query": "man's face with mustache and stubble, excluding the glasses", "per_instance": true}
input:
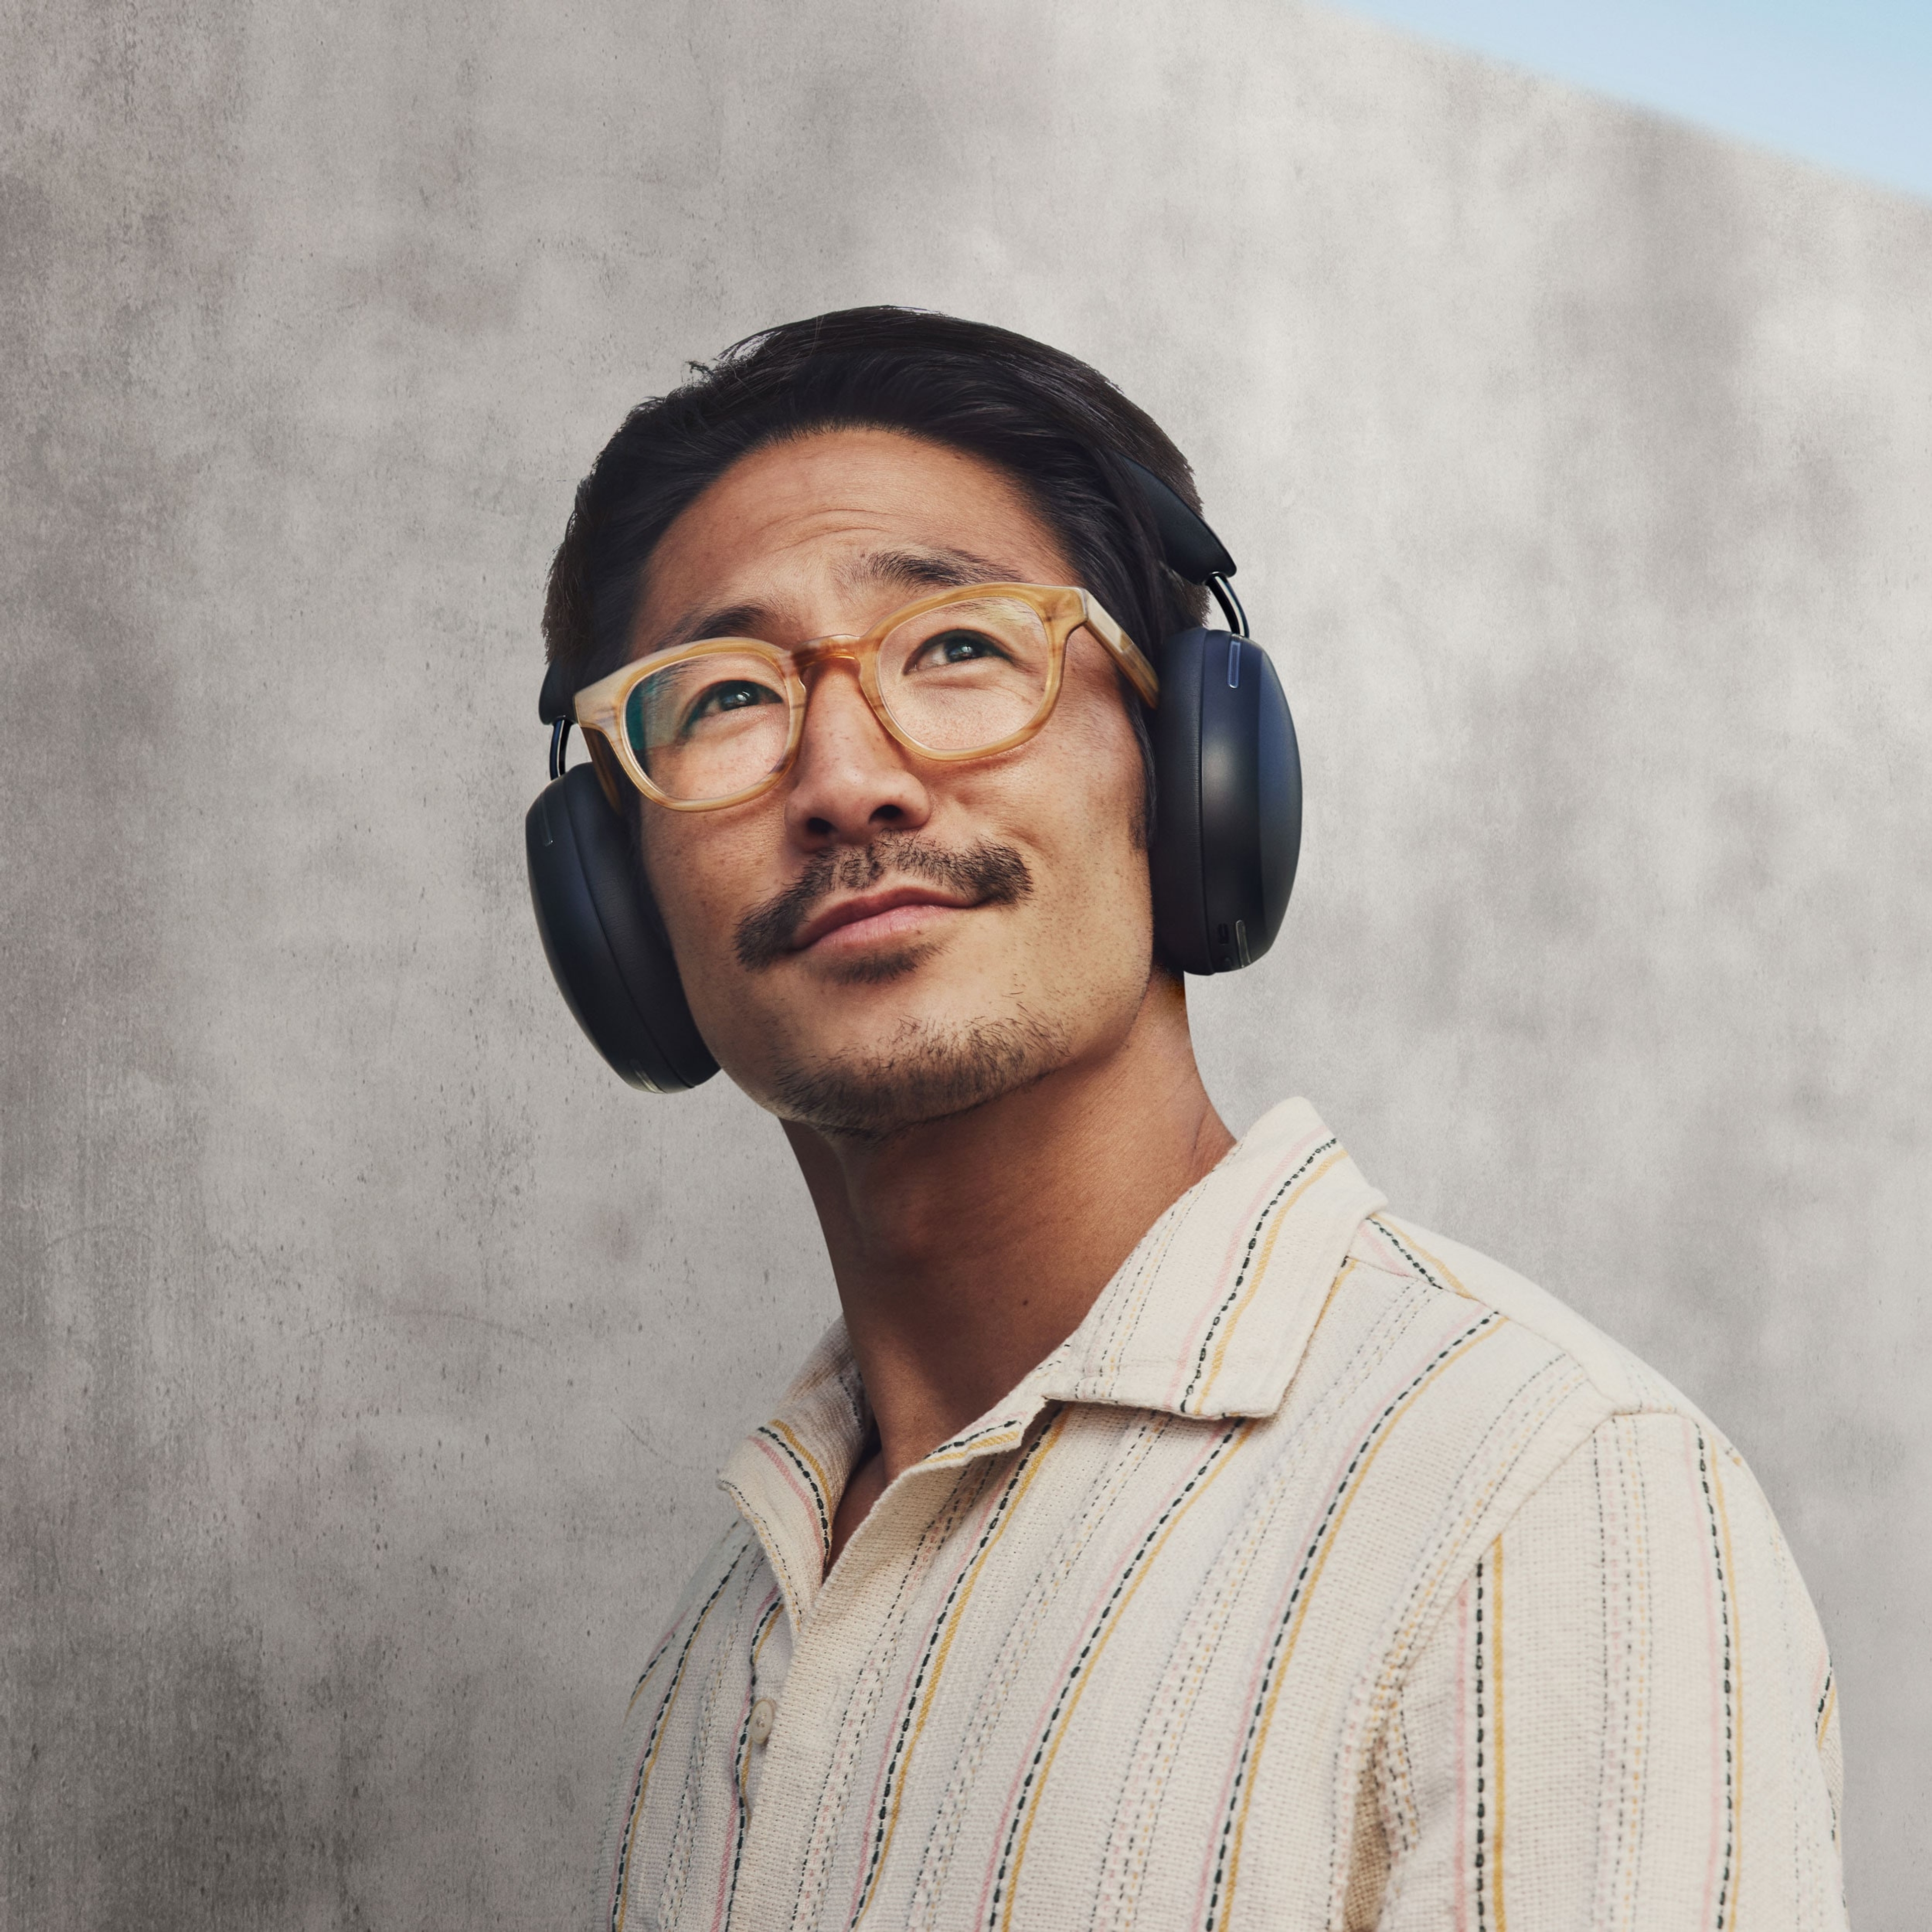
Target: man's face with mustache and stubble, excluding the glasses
{"points": [[886, 940]]}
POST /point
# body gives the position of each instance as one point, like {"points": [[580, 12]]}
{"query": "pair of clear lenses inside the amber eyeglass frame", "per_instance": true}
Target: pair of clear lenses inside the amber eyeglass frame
{"points": [[957, 679]]}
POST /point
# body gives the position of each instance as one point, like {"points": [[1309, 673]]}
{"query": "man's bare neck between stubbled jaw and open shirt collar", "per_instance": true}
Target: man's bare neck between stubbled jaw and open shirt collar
{"points": [[969, 1249]]}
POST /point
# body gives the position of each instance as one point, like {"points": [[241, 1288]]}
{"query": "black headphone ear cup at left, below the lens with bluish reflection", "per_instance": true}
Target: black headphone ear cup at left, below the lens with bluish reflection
{"points": [[606, 942]]}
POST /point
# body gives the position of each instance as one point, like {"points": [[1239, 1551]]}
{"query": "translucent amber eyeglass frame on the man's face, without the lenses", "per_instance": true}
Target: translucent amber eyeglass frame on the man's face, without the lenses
{"points": [[1062, 611]]}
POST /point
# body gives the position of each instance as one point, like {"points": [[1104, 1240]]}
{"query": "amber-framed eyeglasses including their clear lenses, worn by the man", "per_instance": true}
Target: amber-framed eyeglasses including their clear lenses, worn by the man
{"points": [[959, 675]]}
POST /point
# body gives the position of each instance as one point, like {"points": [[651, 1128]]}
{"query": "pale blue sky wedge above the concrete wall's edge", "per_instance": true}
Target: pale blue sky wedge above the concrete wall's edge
{"points": [[1846, 86]]}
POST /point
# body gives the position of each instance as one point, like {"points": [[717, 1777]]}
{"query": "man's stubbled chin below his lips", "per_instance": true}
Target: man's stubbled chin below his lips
{"points": [[926, 1071]]}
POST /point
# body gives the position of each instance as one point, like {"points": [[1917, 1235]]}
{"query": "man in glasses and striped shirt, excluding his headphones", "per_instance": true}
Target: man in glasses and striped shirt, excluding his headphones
{"points": [[1168, 1535]]}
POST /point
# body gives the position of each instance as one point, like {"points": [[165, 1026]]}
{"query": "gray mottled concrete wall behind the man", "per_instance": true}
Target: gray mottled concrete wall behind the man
{"points": [[366, 1348]]}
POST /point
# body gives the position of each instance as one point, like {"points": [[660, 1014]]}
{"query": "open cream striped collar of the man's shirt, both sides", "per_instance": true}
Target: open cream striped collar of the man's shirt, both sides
{"points": [[1208, 1317]]}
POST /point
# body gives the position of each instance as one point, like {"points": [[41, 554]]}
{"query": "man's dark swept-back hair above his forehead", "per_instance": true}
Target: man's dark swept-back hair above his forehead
{"points": [[1044, 418]]}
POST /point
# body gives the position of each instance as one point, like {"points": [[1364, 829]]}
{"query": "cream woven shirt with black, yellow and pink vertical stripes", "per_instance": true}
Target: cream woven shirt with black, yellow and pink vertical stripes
{"points": [[1328, 1576]]}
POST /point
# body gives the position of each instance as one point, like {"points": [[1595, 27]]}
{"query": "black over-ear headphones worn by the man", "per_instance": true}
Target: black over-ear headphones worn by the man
{"points": [[1228, 785]]}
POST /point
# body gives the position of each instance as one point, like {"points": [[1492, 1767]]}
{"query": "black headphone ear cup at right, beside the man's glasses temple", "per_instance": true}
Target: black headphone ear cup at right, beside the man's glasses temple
{"points": [[1228, 783]]}
